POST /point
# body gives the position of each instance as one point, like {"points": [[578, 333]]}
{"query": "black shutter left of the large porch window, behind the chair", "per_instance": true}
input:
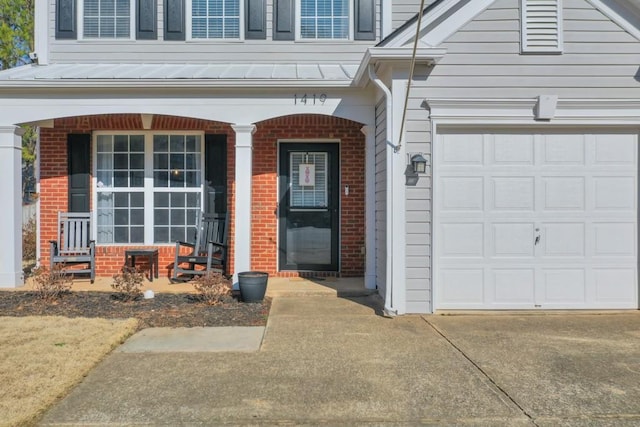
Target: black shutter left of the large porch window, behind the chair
{"points": [[78, 158]]}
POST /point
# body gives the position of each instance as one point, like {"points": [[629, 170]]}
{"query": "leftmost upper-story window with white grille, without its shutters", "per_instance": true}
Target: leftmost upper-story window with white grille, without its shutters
{"points": [[106, 19]]}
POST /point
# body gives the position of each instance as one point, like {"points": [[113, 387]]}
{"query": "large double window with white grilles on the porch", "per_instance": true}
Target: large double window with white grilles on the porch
{"points": [[148, 187]]}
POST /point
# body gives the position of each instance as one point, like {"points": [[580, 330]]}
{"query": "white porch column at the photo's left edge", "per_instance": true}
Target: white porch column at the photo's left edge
{"points": [[11, 215]]}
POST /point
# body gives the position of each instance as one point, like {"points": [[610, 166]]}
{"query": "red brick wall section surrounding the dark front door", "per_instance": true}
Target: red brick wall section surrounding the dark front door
{"points": [[264, 221]]}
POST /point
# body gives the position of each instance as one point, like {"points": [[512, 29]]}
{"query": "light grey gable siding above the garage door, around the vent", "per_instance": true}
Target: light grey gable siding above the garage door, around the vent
{"points": [[599, 60]]}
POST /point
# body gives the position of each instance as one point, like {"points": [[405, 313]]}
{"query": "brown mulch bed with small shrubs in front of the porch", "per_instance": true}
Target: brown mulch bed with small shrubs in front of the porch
{"points": [[164, 310]]}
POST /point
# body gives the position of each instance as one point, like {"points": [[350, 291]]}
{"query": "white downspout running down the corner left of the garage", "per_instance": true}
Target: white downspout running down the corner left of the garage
{"points": [[389, 309]]}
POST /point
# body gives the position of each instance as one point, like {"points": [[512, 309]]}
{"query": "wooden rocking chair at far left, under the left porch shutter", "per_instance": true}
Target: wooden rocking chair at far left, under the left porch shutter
{"points": [[74, 245]]}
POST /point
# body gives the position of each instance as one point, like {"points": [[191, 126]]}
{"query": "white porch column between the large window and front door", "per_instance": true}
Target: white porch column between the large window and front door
{"points": [[242, 237]]}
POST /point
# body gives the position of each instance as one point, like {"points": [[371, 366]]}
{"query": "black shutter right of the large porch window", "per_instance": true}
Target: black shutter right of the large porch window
{"points": [[215, 173]]}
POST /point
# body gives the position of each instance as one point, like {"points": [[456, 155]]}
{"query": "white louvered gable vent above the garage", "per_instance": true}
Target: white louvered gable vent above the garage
{"points": [[542, 26]]}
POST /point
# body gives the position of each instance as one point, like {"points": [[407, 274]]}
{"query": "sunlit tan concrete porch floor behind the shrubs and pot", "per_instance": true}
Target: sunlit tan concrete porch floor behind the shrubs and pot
{"points": [[277, 286]]}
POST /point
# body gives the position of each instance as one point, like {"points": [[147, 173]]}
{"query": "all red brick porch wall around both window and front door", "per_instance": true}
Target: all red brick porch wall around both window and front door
{"points": [[54, 184]]}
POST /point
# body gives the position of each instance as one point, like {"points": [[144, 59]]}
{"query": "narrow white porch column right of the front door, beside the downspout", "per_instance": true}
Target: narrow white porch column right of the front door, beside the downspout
{"points": [[370, 208]]}
